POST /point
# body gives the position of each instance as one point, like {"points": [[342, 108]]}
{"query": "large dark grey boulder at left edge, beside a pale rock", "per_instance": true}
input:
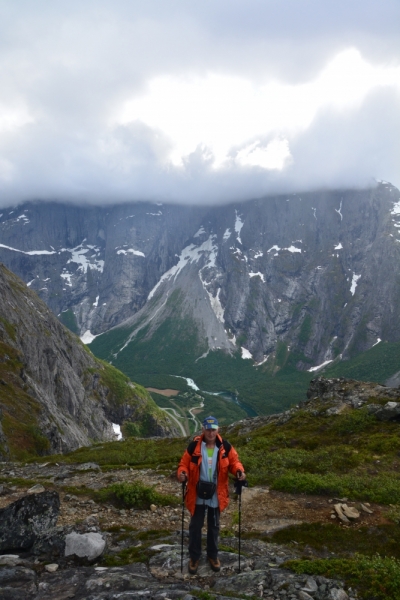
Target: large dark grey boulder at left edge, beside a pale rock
{"points": [[23, 521]]}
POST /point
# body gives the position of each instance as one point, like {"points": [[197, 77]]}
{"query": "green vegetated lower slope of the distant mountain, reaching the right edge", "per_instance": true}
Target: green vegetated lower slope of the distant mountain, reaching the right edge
{"points": [[175, 346]]}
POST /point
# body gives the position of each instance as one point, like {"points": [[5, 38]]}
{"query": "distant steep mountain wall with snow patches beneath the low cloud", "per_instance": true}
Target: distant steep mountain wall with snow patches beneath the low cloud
{"points": [[245, 298]]}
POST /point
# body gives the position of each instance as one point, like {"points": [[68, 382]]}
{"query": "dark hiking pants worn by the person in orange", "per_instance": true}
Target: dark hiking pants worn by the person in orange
{"points": [[195, 527]]}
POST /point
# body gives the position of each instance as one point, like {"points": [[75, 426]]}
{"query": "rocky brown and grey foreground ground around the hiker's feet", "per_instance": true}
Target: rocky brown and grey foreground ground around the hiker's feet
{"points": [[42, 574]]}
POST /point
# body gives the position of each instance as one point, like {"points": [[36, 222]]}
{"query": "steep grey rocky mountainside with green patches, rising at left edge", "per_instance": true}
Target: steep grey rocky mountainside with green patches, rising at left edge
{"points": [[55, 395]]}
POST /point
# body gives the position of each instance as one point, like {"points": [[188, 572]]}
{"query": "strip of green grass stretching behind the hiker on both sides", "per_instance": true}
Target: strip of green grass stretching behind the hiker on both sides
{"points": [[351, 454]]}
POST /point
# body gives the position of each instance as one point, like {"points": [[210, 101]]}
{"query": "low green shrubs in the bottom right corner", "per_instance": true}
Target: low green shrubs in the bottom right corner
{"points": [[375, 577]]}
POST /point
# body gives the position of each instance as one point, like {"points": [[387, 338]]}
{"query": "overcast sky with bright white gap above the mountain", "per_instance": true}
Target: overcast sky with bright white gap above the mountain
{"points": [[208, 101]]}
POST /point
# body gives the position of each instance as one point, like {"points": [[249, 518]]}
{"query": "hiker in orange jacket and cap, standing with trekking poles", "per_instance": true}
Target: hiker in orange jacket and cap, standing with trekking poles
{"points": [[205, 465]]}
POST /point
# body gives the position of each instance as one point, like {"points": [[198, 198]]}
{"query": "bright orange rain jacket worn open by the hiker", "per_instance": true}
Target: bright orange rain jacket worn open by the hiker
{"points": [[227, 461]]}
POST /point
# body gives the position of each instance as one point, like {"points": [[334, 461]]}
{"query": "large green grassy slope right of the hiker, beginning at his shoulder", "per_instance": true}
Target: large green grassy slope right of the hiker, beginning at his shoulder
{"points": [[334, 455]]}
